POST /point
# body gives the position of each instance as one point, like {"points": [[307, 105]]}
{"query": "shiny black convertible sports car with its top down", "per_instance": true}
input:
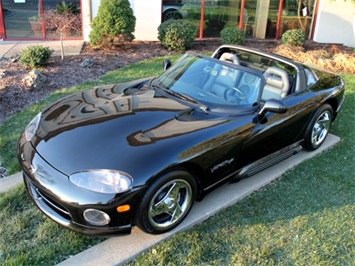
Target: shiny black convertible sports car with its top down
{"points": [[141, 152]]}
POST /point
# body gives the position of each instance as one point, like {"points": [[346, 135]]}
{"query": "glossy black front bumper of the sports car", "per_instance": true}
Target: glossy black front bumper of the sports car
{"points": [[65, 203]]}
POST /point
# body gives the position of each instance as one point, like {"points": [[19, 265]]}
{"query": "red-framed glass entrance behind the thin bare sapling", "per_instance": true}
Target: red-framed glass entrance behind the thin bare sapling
{"points": [[23, 19]]}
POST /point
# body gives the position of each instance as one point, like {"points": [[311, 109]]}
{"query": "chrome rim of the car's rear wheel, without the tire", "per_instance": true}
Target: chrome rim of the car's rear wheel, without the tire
{"points": [[321, 128]]}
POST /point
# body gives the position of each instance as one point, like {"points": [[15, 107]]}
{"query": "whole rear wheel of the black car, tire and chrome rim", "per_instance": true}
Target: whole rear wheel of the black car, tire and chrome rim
{"points": [[318, 129]]}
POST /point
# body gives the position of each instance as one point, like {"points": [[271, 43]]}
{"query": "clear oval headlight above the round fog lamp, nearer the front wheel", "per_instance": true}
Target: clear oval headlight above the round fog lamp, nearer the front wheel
{"points": [[102, 181]]}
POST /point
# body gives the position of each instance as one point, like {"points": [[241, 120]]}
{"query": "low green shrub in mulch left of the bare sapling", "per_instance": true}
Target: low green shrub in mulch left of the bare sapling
{"points": [[35, 55]]}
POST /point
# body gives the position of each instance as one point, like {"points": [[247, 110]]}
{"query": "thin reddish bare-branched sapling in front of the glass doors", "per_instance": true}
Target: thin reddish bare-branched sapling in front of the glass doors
{"points": [[62, 23]]}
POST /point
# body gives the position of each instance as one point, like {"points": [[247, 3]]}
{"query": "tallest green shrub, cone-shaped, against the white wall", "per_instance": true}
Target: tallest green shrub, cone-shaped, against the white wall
{"points": [[114, 22]]}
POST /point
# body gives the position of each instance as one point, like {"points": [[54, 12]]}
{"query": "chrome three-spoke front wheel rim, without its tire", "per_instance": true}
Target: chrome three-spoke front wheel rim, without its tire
{"points": [[170, 204]]}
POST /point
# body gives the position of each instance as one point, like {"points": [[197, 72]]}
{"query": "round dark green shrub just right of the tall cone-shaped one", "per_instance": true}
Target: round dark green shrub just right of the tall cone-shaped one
{"points": [[176, 34]]}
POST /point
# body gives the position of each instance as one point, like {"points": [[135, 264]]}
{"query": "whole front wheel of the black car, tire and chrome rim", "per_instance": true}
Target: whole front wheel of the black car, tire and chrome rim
{"points": [[166, 203]]}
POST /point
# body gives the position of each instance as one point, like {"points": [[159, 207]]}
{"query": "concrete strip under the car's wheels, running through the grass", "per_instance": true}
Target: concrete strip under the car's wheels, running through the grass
{"points": [[120, 250]]}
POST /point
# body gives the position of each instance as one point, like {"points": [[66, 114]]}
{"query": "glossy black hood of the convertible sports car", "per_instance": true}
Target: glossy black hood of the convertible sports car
{"points": [[105, 128]]}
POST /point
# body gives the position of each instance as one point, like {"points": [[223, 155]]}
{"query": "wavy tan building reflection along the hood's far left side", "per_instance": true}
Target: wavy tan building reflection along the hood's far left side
{"points": [[98, 105]]}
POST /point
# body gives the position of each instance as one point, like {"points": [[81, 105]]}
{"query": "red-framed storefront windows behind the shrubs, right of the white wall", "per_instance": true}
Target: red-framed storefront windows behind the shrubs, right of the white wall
{"points": [[260, 18]]}
